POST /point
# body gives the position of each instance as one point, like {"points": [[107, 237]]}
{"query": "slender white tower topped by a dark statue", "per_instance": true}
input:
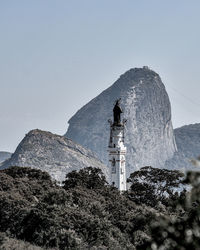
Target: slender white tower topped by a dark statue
{"points": [[117, 150]]}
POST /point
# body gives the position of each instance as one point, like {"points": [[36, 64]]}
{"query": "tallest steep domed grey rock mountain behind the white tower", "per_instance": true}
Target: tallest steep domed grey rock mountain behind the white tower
{"points": [[149, 134]]}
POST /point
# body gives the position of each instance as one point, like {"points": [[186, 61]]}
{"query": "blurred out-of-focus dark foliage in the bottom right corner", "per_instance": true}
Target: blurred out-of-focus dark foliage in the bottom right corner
{"points": [[182, 230]]}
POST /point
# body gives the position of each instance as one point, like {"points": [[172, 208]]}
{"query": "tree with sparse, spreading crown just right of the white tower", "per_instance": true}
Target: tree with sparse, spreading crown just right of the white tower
{"points": [[153, 185]]}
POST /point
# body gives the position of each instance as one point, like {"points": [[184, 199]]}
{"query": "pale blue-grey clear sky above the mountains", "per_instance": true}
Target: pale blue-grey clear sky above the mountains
{"points": [[56, 55]]}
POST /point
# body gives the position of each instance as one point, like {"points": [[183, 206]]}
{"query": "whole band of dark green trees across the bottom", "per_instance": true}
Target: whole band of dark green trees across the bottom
{"points": [[87, 213]]}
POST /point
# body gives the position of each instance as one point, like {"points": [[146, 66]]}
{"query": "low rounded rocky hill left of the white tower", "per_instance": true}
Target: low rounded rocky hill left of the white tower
{"points": [[52, 153]]}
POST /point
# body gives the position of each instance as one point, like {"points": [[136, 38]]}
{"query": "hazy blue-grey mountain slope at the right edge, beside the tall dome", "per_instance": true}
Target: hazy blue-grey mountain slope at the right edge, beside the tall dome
{"points": [[188, 145]]}
